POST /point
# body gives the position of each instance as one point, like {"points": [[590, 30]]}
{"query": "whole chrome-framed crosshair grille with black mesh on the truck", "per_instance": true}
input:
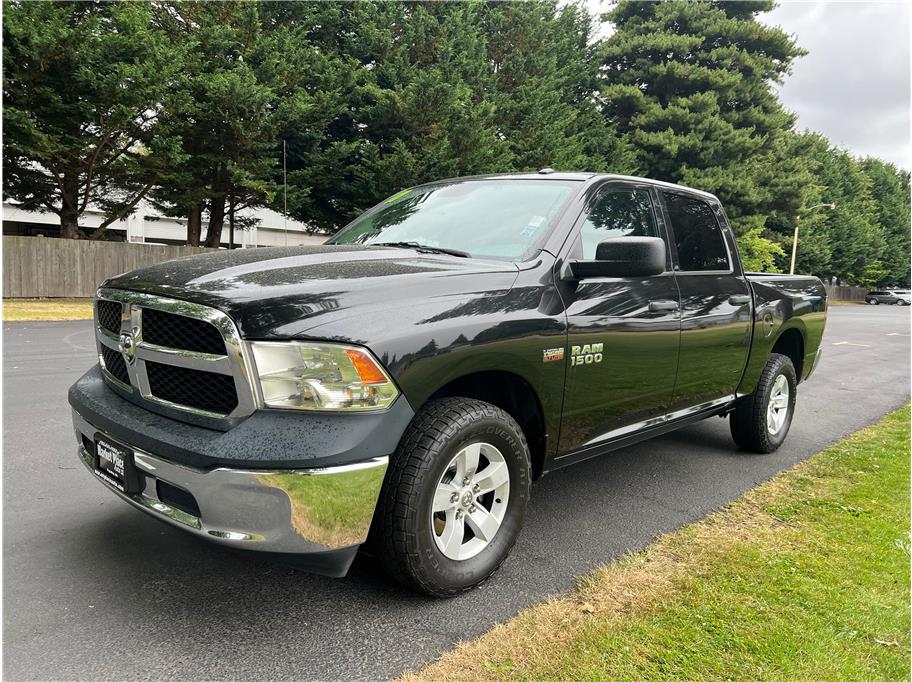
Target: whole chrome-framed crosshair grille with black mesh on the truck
{"points": [[174, 356]]}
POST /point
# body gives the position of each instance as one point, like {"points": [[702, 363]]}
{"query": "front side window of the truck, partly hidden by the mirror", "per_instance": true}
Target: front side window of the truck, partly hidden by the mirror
{"points": [[619, 212]]}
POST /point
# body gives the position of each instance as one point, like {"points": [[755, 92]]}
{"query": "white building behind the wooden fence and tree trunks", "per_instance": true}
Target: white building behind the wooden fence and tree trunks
{"points": [[146, 225]]}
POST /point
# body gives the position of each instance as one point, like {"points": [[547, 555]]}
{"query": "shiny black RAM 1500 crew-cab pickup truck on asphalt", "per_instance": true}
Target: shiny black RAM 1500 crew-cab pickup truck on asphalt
{"points": [[403, 384]]}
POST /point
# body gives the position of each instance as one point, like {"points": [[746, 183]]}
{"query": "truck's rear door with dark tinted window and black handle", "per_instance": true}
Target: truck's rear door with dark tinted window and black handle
{"points": [[715, 301]]}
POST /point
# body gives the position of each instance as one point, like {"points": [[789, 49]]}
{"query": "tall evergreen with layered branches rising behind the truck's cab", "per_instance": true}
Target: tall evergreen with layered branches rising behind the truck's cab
{"points": [[691, 83]]}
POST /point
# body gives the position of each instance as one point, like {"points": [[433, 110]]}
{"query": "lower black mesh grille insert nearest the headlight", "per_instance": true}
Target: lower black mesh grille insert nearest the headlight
{"points": [[192, 388]]}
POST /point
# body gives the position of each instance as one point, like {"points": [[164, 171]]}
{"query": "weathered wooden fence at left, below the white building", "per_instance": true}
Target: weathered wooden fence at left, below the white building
{"points": [[39, 267]]}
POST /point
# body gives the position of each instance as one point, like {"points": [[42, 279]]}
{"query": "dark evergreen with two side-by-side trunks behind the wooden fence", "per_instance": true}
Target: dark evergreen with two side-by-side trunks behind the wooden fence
{"points": [[224, 123]]}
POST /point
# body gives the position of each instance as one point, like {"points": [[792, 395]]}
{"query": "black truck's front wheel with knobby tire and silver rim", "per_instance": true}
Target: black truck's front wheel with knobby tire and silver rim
{"points": [[430, 551]]}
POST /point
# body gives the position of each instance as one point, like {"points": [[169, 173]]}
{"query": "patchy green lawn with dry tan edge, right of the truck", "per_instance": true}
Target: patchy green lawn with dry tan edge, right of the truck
{"points": [[804, 578]]}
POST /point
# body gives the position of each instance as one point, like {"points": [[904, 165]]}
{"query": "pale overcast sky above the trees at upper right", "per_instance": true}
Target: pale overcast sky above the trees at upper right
{"points": [[853, 86]]}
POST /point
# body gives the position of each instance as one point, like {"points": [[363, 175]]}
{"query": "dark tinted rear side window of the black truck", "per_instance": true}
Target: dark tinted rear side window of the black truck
{"points": [[698, 237]]}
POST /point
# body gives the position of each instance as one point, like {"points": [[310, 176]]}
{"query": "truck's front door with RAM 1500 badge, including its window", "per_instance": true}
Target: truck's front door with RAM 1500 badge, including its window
{"points": [[623, 332]]}
